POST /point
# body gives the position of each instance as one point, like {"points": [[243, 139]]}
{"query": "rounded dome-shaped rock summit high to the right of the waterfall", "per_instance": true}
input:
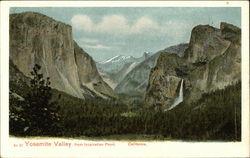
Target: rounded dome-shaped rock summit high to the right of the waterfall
{"points": [[205, 44]]}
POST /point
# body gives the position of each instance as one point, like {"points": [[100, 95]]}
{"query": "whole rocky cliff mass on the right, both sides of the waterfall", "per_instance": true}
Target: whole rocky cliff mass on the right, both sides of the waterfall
{"points": [[211, 61]]}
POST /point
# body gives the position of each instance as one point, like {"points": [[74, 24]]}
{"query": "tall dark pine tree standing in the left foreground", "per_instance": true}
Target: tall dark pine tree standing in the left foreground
{"points": [[40, 111]]}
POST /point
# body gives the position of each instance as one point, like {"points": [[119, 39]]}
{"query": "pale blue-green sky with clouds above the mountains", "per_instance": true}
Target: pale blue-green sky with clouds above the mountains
{"points": [[104, 32]]}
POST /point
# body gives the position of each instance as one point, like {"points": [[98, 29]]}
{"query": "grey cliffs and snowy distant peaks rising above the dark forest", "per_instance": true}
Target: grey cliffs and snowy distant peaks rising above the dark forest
{"points": [[210, 61]]}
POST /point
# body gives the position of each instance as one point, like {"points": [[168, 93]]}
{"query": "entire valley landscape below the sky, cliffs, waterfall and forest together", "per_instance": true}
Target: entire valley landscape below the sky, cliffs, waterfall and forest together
{"points": [[189, 91]]}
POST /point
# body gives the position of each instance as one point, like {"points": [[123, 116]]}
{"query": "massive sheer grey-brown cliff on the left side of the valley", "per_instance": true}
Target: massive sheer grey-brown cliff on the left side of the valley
{"points": [[38, 39]]}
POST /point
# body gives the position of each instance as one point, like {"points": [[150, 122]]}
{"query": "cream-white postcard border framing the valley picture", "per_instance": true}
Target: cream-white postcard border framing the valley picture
{"points": [[153, 149]]}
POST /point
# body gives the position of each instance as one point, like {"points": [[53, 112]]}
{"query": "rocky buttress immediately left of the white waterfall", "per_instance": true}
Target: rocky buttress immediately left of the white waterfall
{"points": [[164, 80]]}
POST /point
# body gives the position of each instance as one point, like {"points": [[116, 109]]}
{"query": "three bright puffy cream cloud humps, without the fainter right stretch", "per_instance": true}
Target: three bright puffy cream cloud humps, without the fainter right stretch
{"points": [[114, 24]]}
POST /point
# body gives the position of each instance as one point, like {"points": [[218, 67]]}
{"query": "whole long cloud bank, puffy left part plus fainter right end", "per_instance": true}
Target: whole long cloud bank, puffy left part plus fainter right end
{"points": [[118, 25]]}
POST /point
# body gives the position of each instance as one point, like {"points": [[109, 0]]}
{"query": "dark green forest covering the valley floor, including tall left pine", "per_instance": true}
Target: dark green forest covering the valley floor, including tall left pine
{"points": [[43, 111]]}
